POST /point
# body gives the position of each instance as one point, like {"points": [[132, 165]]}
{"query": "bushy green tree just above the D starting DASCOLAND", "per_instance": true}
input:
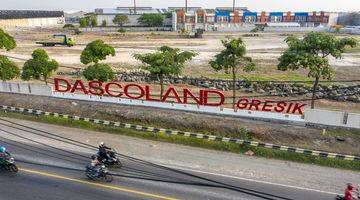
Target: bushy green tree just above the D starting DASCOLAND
{"points": [[39, 66]]}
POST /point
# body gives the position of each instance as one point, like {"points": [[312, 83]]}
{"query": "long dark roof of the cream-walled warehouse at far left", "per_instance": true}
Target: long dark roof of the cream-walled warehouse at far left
{"points": [[21, 14]]}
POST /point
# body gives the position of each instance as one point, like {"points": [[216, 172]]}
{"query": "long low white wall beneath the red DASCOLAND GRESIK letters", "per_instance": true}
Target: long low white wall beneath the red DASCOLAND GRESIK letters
{"points": [[312, 116]]}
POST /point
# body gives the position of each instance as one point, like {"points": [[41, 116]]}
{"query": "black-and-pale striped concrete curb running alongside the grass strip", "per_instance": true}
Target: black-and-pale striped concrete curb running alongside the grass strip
{"points": [[186, 134]]}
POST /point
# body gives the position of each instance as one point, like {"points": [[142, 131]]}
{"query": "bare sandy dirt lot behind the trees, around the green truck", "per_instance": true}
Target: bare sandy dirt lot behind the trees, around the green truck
{"points": [[265, 49]]}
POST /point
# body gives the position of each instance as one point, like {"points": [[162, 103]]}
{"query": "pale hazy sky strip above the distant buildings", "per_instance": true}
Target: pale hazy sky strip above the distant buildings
{"points": [[254, 5]]}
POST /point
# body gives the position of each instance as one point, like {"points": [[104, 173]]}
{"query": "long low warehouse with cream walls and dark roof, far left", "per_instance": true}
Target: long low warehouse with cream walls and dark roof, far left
{"points": [[31, 18]]}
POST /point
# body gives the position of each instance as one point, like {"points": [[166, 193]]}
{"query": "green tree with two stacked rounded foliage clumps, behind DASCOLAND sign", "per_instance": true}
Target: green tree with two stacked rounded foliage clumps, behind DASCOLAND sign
{"points": [[93, 53]]}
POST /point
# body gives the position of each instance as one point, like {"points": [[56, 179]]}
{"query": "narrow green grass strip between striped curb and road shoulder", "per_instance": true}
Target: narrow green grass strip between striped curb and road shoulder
{"points": [[195, 142]]}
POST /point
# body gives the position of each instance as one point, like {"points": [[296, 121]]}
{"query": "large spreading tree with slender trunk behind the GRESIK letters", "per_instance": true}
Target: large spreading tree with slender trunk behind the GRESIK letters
{"points": [[312, 53]]}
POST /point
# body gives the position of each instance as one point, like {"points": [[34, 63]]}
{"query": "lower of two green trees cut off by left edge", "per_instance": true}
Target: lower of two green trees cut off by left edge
{"points": [[8, 69]]}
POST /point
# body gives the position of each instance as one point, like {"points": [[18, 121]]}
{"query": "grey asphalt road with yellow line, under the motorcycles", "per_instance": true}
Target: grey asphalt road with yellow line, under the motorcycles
{"points": [[56, 172]]}
